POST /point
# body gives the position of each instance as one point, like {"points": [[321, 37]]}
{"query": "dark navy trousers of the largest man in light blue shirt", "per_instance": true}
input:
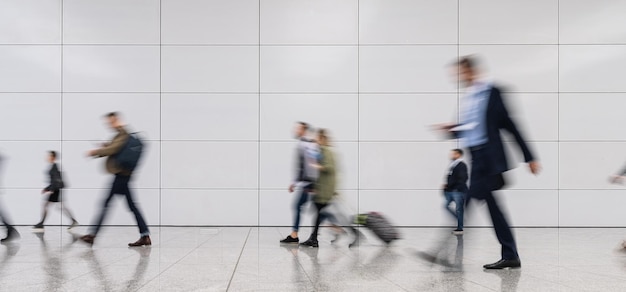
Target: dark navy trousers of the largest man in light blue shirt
{"points": [[482, 184]]}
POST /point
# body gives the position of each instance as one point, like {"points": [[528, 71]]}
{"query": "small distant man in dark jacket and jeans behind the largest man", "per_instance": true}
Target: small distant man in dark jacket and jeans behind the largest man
{"points": [[456, 188]]}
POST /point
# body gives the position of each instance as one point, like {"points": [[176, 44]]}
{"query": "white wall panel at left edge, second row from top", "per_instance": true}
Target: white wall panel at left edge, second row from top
{"points": [[30, 68]]}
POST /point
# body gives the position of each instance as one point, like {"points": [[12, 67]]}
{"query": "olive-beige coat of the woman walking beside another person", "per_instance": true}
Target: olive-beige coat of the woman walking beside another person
{"points": [[325, 186]]}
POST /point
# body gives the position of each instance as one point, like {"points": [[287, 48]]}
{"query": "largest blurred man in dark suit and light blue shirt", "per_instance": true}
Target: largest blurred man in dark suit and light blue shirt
{"points": [[483, 117]]}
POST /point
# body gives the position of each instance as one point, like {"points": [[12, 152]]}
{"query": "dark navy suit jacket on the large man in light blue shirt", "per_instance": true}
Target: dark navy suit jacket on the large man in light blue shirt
{"points": [[498, 119]]}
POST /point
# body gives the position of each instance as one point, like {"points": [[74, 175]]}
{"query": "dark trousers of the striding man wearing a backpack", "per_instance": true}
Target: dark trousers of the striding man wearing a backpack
{"points": [[120, 187]]}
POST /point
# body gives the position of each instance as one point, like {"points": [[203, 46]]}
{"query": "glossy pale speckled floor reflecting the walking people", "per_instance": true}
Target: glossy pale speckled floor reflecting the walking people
{"points": [[250, 259]]}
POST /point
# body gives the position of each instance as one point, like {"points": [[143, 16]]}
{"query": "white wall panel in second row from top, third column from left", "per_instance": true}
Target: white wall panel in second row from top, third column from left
{"points": [[210, 69]]}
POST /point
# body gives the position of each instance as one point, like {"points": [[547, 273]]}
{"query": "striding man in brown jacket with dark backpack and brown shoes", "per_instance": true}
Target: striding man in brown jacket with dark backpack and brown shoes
{"points": [[123, 153]]}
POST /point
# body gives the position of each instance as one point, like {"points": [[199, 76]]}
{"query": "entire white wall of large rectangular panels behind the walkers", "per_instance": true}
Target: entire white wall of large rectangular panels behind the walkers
{"points": [[215, 86]]}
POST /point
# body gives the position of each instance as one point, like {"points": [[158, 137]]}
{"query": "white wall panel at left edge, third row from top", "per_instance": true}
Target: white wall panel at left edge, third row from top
{"points": [[30, 116]]}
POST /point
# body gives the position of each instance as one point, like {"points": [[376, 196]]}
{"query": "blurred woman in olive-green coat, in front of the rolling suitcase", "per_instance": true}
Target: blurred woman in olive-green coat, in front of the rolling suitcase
{"points": [[325, 186]]}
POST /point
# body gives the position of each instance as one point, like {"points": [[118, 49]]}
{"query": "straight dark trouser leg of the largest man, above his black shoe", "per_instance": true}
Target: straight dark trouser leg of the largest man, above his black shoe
{"points": [[502, 229]]}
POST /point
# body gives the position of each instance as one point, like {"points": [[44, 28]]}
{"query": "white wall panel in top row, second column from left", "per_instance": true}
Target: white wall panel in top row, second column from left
{"points": [[111, 21]]}
